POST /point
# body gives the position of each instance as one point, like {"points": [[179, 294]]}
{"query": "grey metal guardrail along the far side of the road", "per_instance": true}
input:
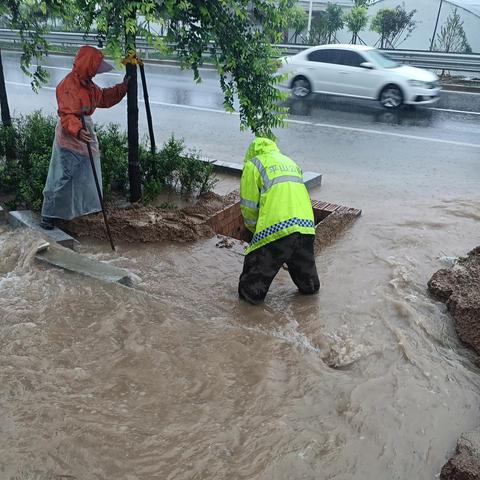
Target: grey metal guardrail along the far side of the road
{"points": [[432, 60]]}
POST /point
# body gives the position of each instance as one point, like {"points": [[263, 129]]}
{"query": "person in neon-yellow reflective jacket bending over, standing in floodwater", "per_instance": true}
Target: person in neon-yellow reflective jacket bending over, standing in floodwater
{"points": [[277, 209]]}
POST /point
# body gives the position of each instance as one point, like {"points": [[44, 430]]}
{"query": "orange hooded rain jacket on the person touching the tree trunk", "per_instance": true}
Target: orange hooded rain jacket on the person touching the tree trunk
{"points": [[77, 94]]}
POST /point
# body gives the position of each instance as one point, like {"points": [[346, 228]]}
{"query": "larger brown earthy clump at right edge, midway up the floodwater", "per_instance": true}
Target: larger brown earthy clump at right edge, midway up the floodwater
{"points": [[459, 287]]}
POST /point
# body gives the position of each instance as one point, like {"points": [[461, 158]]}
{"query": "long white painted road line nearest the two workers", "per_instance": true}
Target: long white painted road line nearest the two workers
{"points": [[301, 122]]}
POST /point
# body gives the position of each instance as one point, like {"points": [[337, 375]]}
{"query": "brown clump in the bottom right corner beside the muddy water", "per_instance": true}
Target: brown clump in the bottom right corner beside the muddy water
{"points": [[465, 465]]}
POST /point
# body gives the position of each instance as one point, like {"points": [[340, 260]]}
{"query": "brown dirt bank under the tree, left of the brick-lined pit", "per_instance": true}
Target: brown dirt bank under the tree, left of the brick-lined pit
{"points": [[138, 223]]}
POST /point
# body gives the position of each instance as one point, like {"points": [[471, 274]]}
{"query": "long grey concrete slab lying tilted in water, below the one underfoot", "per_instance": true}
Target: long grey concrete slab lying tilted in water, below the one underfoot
{"points": [[74, 262]]}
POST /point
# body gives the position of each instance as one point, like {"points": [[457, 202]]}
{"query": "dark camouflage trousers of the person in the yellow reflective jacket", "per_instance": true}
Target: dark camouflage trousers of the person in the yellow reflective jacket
{"points": [[261, 266]]}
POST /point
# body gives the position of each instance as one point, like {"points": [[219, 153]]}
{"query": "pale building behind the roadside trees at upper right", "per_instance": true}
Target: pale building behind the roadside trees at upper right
{"points": [[426, 15]]}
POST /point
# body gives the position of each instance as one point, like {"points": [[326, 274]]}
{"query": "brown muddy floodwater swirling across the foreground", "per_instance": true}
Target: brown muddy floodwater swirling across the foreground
{"points": [[179, 380]]}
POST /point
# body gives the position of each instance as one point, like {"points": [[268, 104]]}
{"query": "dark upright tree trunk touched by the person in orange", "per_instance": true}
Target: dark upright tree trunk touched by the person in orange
{"points": [[134, 176]]}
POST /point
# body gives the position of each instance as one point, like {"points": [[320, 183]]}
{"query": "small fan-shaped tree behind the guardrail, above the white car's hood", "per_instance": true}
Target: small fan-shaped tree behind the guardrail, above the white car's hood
{"points": [[394, 25]]}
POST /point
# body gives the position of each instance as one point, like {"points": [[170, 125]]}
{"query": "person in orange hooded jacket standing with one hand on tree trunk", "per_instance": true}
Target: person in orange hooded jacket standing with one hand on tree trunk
{"points": [[70, 189]]}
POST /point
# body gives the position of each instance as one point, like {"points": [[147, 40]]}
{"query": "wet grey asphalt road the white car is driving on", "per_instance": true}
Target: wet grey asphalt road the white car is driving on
{"points": [[363, 151]]}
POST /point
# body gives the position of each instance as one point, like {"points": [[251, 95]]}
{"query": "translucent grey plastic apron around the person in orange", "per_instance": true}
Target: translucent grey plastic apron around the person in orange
{"points": [[70, 190]]}
